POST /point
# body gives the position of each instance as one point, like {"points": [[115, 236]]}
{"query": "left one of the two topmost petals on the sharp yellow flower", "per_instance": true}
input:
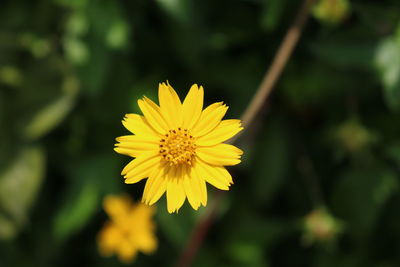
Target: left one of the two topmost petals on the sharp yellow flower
{"points": [[170, 105]]}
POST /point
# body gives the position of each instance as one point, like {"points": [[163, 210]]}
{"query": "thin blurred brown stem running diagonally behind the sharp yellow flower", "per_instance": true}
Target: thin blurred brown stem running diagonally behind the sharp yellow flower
{"points": [[271, 76]]}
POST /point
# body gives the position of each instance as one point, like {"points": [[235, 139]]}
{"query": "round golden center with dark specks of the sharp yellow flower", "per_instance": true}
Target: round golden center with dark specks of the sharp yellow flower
{"points": [[178, 147]]}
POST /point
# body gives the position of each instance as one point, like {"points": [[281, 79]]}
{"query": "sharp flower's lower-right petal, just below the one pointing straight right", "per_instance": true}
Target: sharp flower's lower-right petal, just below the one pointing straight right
{"points": [[212, 174]]}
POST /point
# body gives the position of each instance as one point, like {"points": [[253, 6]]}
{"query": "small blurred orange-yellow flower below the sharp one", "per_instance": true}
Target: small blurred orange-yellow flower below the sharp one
{"points": [[130, 229]]}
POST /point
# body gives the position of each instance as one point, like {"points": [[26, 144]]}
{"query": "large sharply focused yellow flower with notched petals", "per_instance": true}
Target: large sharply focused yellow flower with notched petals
{"points": [[178, 147]]}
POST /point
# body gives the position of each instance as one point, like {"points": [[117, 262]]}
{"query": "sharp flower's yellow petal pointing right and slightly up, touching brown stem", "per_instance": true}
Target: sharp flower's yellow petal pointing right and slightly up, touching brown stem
{"points": [[225, 130]]}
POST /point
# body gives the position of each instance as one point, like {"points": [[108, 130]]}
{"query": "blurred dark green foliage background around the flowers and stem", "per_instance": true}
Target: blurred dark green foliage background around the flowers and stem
{"points": [[329, 136]]}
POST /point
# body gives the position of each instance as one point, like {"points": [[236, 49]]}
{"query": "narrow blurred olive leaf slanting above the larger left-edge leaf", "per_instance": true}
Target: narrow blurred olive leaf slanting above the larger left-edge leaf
{"points": [[51, 115]]}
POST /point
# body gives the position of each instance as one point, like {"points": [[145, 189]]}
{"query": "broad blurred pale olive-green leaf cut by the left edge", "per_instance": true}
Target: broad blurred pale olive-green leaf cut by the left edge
{"points": [[19, 185]]}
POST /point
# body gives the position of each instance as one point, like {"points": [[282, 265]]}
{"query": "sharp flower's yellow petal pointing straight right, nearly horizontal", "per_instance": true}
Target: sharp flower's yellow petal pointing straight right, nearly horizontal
{"points": [[221, 154]]}
